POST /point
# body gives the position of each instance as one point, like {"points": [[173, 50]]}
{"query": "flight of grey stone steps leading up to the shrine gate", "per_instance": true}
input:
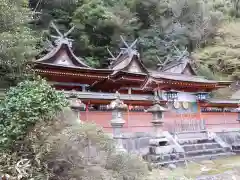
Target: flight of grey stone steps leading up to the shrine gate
{"points": [[201, 145]]}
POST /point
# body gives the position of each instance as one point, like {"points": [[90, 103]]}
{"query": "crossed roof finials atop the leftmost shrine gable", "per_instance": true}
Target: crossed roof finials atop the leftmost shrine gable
{"points": [[62, 37]]}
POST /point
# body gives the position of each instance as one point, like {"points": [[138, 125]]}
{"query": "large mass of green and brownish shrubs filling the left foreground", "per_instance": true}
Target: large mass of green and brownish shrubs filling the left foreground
{"points": [[45, 146]]}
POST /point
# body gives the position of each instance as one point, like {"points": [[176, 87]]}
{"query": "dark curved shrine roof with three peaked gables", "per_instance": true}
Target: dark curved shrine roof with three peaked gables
{"points": [[127, 63]]}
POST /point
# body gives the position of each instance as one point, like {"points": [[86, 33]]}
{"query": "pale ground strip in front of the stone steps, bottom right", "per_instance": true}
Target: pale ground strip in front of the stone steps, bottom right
{"points": [[220, 169]]}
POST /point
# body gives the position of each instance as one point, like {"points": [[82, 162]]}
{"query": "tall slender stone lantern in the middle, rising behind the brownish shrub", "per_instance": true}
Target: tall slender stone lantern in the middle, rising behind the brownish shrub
{"points": [[118, 107]]}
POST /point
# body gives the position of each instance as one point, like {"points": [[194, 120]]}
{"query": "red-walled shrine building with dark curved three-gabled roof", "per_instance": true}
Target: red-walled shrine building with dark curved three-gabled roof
{"points": [[175, 84]]}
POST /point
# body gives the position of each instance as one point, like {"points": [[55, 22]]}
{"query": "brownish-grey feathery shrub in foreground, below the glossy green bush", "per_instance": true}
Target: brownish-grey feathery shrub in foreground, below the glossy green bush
{"points": [[65, 148]]}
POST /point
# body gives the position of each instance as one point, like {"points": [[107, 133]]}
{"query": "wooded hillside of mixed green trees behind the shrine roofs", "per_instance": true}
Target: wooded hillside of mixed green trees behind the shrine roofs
{"points": [[208, 30]]}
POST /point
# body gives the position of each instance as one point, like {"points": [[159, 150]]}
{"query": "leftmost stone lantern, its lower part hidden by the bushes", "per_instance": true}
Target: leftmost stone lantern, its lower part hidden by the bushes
{"points": [[76, 104]]}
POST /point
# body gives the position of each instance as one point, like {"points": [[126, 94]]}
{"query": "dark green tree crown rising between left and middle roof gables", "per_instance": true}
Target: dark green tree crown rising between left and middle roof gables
{"points": [[99, 24]]}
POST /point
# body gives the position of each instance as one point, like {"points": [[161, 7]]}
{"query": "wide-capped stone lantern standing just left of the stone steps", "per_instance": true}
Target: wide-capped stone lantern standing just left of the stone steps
{"points": [[157, 117]]}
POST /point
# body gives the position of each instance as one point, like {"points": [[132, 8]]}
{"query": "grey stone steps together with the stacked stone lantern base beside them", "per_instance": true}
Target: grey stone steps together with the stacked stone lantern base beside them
{"points": [[186, 146]]}
